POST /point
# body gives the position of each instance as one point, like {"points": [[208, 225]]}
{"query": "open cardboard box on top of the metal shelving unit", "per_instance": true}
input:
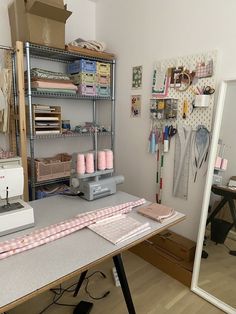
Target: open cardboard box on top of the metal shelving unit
{"points": [[39, 22]]}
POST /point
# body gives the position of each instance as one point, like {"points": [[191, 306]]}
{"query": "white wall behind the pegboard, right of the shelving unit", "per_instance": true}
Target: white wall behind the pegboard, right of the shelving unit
{"points": [[140, 32]]}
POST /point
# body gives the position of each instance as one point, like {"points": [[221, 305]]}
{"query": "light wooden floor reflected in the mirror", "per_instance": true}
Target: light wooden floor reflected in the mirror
{"points": [[218, 271]]}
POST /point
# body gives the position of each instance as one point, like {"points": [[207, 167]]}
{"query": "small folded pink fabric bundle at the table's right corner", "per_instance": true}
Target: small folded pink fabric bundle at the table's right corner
{"points": [[157, 212]]}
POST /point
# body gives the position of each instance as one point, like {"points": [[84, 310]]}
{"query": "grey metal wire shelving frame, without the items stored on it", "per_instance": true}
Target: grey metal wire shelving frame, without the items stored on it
{"points": [[63, 56]]}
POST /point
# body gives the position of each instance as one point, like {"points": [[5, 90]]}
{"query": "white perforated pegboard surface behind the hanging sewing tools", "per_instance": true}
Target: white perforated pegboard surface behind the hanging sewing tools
{"points": [[199, 115]]}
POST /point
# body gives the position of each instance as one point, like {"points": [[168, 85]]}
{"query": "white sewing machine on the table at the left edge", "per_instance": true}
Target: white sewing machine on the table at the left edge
{"points": [[15, 214]]}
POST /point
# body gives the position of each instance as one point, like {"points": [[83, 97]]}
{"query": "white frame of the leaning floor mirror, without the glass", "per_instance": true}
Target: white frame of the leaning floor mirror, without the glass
{"points": [[206, 198]]}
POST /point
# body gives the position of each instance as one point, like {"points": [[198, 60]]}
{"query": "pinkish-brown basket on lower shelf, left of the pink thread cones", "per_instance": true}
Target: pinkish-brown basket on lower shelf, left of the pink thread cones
{"points": [[52, 168]]}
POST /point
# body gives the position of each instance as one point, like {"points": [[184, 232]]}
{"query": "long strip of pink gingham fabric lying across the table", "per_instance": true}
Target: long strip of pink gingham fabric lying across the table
{"points": [[62, 229]]}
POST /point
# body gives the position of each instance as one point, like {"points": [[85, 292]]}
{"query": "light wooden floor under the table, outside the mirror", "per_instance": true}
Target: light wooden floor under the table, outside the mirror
{"points": [[153, 292]]}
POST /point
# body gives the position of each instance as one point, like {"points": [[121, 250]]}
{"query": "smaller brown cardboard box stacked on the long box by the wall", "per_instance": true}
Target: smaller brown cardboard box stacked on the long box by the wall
{"points": [[175, 244]]}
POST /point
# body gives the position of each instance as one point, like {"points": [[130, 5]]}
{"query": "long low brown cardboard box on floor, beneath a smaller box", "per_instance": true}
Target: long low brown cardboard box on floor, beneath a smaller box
{"points": [[165, 261]]}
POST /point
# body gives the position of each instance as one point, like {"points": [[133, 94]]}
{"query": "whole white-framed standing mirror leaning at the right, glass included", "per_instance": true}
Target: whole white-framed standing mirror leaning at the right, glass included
{"points": [[214, 276]]}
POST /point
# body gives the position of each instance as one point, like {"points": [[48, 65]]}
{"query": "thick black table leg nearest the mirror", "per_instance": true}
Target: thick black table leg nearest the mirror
{"points": [[124, 283]]}
